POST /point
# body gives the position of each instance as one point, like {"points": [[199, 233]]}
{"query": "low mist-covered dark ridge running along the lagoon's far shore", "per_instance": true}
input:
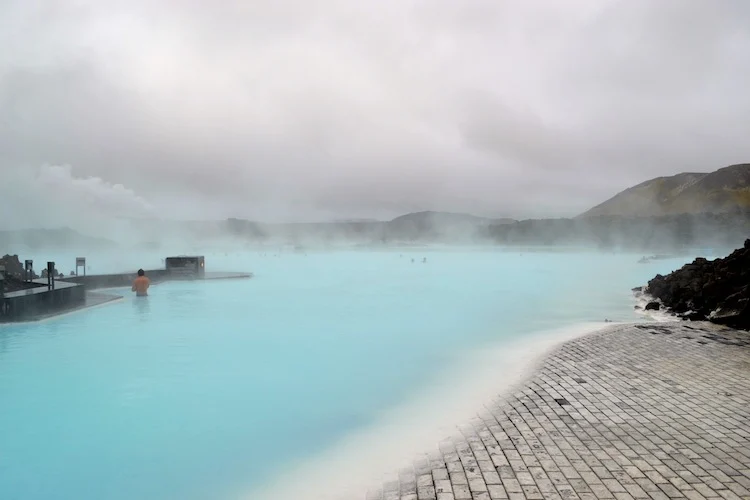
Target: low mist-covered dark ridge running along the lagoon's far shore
{"points": [[610, 232]]}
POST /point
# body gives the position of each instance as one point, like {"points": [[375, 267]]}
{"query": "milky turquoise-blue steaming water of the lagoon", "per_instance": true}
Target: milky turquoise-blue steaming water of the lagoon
{"points": [[207, 389]]}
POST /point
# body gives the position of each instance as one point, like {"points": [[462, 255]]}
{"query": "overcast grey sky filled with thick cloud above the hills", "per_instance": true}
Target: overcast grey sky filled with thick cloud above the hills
{"points": [[321, 109]]}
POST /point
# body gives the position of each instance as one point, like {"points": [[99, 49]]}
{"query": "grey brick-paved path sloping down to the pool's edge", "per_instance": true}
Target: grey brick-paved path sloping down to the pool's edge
{"points": [[641, 411]]}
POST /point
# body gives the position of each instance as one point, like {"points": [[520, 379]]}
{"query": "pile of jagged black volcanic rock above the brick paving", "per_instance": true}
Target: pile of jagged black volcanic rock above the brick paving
{"points": [[718, 290]]}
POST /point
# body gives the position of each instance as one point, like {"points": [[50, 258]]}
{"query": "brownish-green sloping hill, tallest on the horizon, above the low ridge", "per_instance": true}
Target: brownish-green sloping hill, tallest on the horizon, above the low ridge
{"points": [[724, 190]]}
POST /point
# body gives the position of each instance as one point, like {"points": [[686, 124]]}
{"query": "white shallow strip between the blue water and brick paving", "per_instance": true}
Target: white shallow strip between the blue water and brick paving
{"points": [[367, 458]]}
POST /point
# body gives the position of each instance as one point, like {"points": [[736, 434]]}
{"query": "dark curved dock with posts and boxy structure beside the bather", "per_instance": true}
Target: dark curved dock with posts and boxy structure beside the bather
{"points": [[25, 298]]}
